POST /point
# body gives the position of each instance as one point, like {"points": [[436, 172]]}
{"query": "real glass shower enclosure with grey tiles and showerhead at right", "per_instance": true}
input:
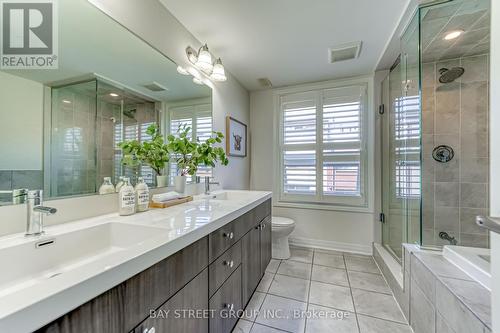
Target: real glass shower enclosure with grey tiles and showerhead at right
{"points": [[435, 135]]}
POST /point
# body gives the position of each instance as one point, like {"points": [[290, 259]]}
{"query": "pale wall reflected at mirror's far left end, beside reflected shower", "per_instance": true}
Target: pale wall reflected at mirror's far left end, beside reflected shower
{"points": [[21, 123]]}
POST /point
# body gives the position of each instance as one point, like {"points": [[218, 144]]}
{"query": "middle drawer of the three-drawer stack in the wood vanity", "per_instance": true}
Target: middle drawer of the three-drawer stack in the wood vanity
{"points": [[221, 268]]}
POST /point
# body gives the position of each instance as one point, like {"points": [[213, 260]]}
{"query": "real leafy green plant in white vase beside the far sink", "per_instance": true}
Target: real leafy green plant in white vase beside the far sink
{"points": [[189, 154]]}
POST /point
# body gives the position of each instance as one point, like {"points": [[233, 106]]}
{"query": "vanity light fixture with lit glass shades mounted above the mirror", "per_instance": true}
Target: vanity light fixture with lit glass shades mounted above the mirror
{"points": [[204, 61]]}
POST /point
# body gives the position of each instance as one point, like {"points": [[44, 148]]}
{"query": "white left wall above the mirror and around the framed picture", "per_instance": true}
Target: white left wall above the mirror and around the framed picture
{"points": [[152, 22]]}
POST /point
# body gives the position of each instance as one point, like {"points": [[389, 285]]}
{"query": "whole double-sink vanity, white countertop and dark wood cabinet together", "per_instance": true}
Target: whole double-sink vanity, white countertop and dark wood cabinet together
{"points": [[194, 265]]}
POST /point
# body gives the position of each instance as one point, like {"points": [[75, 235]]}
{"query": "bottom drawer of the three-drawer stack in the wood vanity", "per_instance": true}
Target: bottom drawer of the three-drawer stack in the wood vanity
{"points": [[226, 303]]}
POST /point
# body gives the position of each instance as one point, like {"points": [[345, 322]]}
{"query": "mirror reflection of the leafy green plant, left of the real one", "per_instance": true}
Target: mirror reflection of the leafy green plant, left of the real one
{"points": [[153, 153]]}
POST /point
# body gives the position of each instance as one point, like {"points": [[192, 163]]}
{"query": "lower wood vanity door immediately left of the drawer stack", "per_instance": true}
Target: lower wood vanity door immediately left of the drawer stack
{"points": [[183, 313]]}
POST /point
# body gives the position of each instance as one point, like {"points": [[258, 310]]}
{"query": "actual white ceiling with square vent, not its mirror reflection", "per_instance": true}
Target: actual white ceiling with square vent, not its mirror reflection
{"points": [[287, 41]]}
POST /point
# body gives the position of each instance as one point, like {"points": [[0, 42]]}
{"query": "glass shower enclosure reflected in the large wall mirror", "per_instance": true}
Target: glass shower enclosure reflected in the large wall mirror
{"points": [[87, 121]]}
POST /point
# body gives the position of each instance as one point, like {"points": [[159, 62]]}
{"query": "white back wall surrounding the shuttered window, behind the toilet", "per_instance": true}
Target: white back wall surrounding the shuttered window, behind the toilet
{"points": [[342, 230]]}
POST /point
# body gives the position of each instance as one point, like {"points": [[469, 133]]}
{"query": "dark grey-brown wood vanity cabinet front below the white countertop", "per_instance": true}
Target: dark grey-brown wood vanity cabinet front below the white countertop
{"points": [[193, 290]]}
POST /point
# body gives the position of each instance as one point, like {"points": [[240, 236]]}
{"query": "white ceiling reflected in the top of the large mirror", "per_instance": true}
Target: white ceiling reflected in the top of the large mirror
{"points": [[90, 42]]}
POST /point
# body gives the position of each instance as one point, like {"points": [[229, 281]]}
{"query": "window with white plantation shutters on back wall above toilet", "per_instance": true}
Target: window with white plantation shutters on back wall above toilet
{"points": [[322, 146]]}
